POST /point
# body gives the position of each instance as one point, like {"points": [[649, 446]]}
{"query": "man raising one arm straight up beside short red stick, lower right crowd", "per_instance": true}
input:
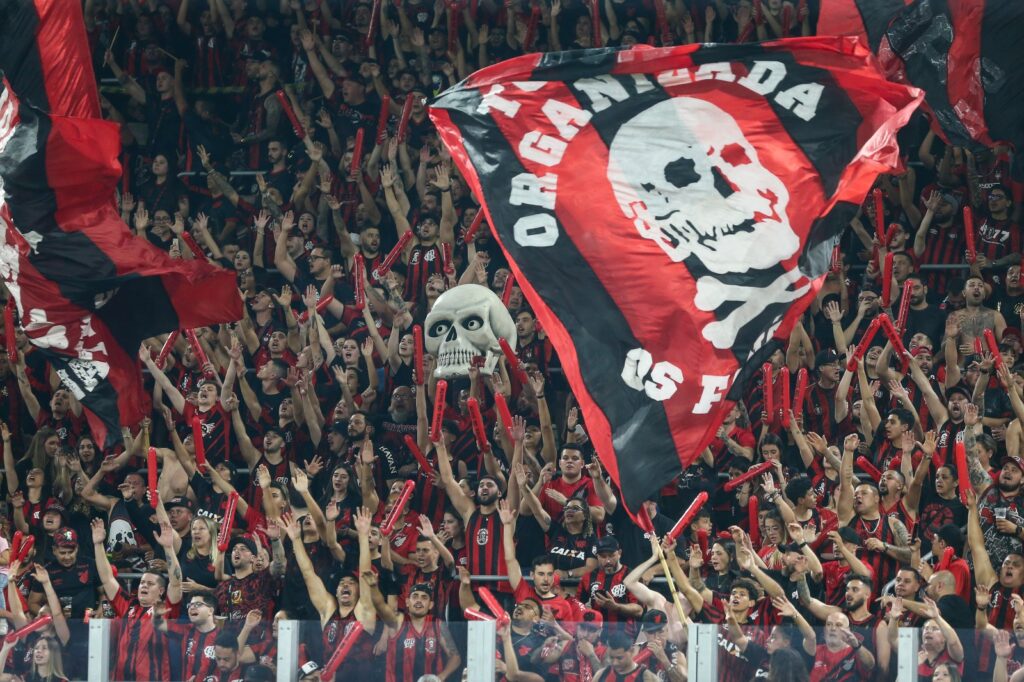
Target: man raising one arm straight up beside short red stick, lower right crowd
{"points": [[885, 538]]}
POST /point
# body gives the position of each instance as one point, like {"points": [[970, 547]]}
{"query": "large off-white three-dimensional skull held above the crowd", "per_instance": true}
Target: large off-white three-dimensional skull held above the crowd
{"points": [[466, 323]]}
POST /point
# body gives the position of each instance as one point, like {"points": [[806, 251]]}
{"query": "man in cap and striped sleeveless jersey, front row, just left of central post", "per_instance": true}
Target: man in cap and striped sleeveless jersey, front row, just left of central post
{"points": [[420, 645]]}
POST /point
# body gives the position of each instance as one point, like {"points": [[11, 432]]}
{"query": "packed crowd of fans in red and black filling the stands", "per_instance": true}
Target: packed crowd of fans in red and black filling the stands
{"points": [[305, 405]]}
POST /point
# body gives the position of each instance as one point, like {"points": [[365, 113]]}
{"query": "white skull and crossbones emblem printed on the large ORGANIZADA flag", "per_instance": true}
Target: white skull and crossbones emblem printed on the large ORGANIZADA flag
{"points": [[704, 193]]}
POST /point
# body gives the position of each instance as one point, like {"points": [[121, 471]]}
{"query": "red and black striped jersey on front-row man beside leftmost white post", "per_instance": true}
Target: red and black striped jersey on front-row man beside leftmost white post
{"points": [[142, 650]]}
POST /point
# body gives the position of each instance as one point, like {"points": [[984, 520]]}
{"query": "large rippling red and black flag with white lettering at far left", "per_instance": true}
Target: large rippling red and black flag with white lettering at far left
{"points": [[88, 290]]}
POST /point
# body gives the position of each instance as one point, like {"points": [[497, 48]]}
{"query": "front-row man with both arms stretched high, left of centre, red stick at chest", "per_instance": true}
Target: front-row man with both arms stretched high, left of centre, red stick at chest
{"points": [[351, 603]]}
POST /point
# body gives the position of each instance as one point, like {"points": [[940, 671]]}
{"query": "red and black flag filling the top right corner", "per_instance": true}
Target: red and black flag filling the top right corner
{"points": [[967, 57]]}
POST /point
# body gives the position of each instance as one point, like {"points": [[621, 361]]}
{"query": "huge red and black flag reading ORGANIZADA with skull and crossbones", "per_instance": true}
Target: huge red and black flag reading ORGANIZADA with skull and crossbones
{"points": [[669, 214]]}
